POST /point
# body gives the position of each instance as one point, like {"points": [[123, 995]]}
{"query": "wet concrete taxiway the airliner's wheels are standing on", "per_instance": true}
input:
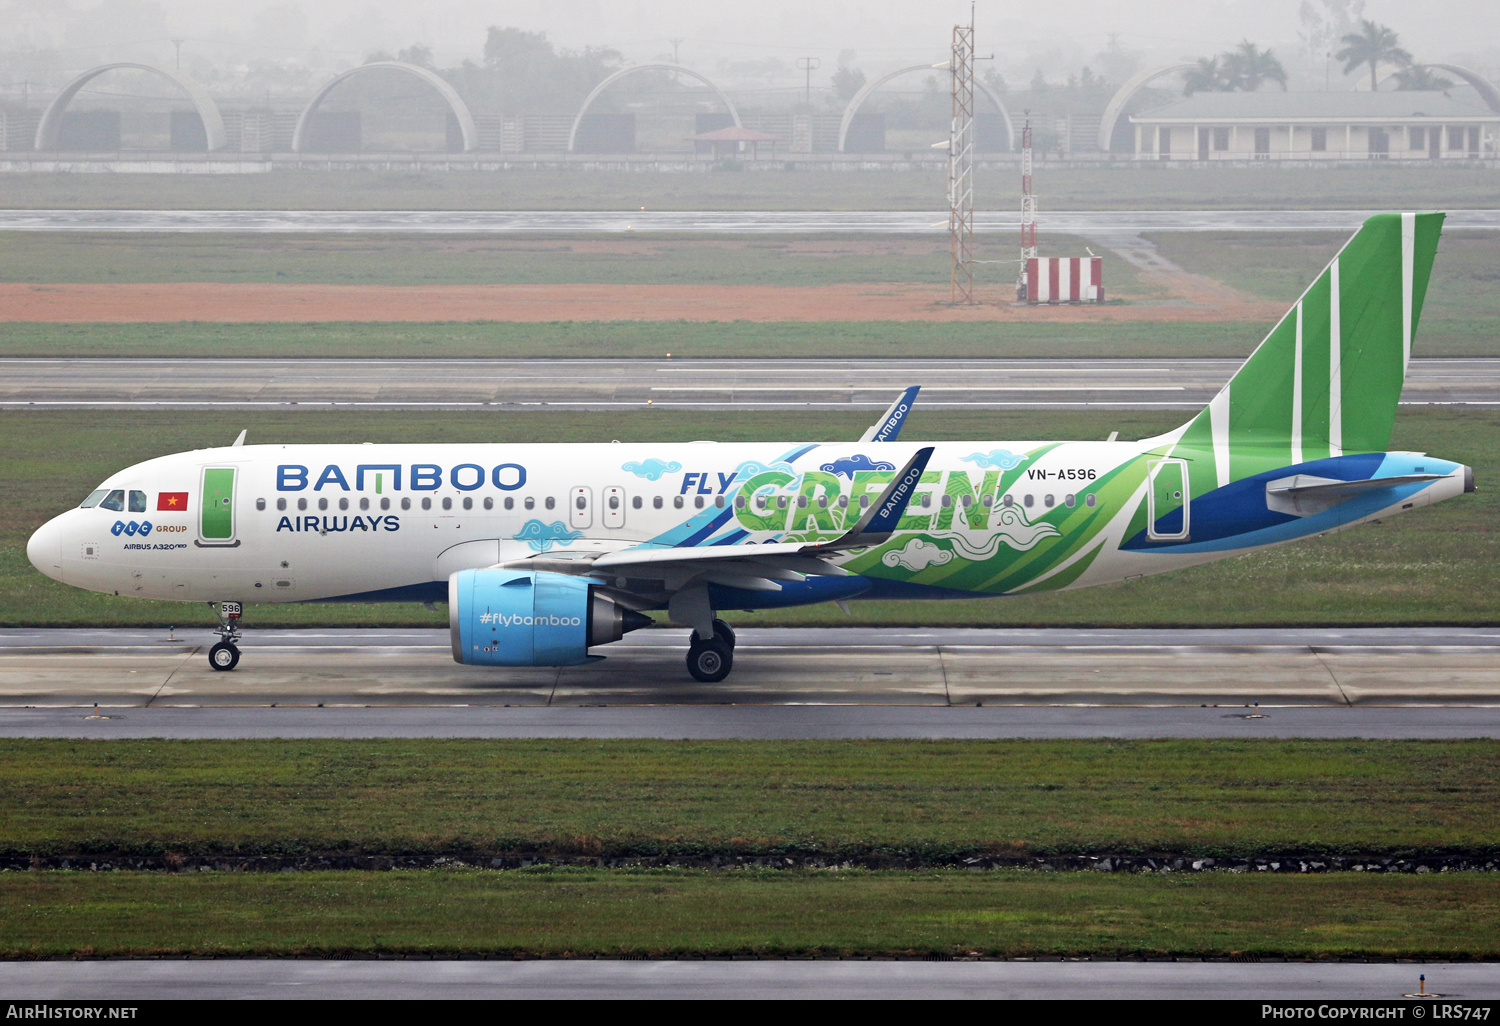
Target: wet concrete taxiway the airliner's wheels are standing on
{"points": [[787, 683]]}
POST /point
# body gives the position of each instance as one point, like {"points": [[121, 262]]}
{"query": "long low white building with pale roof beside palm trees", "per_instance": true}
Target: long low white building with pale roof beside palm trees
{"points": [[1316, 127]]}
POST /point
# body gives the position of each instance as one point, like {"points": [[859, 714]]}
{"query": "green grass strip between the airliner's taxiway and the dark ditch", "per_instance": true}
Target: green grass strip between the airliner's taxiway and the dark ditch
{"points": [[916, 800]]}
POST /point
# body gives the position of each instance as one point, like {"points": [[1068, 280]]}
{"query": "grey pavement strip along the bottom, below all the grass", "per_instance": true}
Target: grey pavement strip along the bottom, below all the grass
{"points": [[227, 980]]}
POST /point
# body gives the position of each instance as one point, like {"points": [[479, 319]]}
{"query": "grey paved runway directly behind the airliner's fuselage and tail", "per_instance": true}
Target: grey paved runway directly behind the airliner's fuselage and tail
{"points": [[694, 385]]}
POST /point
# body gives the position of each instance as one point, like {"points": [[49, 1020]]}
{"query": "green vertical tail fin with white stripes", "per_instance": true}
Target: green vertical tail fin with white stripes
{"points": [[1328, 377]]}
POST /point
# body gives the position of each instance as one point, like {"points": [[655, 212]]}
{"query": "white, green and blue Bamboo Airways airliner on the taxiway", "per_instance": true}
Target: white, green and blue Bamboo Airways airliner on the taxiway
{"points": [[545, 553]]}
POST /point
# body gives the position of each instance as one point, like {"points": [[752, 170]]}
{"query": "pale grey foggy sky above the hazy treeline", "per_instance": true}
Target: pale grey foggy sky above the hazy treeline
{"points": [[1060, 35]]}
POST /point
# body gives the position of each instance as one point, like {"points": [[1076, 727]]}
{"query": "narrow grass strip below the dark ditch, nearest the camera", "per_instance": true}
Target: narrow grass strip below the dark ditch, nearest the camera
{"points": [[673, 913]]}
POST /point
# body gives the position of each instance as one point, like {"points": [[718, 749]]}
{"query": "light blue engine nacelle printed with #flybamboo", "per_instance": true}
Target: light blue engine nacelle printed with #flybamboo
{"points": [[527, 619]]}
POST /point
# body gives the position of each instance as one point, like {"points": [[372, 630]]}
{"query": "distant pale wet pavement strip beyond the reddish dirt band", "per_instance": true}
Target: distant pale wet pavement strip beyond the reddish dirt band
{"points": [[698, 221]]}
